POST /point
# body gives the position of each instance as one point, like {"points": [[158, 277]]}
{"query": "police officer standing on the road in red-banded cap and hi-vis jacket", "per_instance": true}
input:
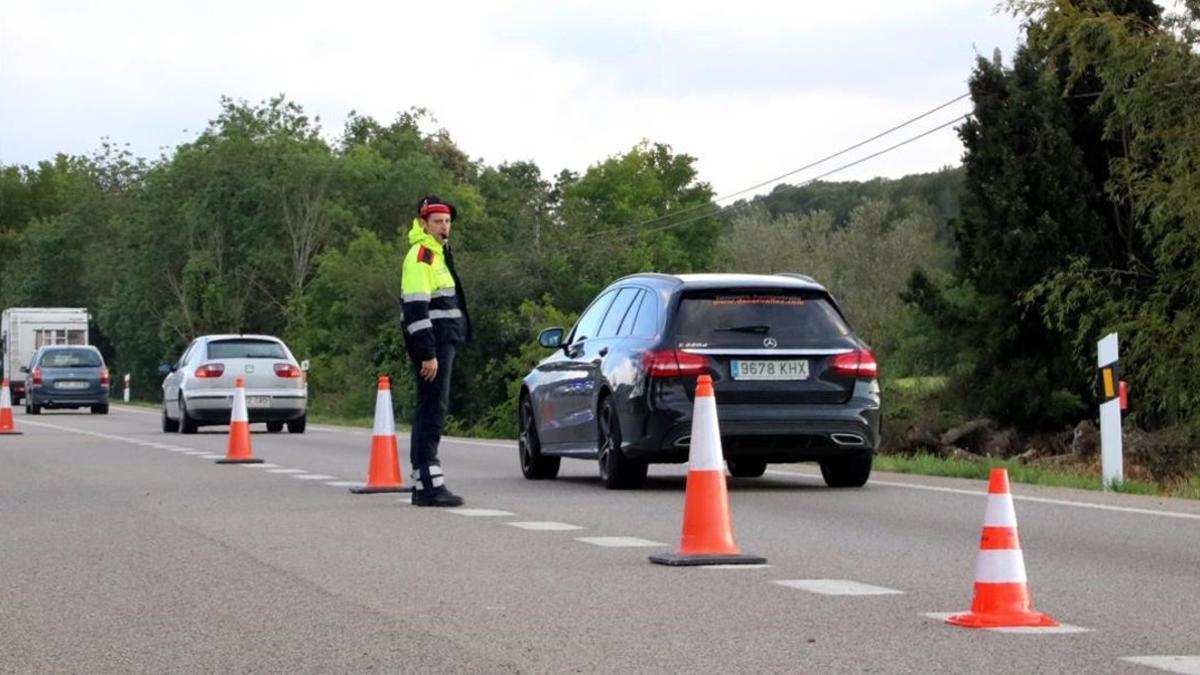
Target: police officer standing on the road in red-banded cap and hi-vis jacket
{"points": [[436, 322]]}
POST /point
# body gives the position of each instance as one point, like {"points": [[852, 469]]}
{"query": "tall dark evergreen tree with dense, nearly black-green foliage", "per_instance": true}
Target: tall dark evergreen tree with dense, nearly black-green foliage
{"points": [[1037, 168]]}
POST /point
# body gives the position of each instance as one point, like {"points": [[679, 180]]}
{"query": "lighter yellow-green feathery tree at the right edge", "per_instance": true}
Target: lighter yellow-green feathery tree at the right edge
{"points": [[1145, 79]]}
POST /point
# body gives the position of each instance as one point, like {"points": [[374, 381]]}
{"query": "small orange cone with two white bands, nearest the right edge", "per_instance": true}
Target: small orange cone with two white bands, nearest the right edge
{"points": [[1003, 592]]}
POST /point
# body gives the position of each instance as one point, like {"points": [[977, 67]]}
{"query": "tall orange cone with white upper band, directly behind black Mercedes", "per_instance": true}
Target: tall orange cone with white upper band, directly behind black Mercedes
{"points": [[707, 527]]}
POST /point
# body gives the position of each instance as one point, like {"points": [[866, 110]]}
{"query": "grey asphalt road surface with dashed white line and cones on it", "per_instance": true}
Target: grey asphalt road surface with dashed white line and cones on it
{"points": [[123, 553]]}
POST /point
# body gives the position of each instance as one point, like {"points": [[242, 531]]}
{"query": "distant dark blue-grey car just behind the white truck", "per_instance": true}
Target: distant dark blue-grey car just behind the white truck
{"points": [[67, 378]]}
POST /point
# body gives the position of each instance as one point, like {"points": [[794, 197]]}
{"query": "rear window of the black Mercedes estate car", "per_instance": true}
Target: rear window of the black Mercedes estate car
{"points": [[742, 316]]}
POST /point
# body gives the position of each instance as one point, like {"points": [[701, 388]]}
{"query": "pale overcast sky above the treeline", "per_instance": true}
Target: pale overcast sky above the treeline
{"points": [[753, 88]]}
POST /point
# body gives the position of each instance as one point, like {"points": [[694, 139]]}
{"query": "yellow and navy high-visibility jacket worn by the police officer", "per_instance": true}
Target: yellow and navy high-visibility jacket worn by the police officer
{"points": [[435, 309]]}
